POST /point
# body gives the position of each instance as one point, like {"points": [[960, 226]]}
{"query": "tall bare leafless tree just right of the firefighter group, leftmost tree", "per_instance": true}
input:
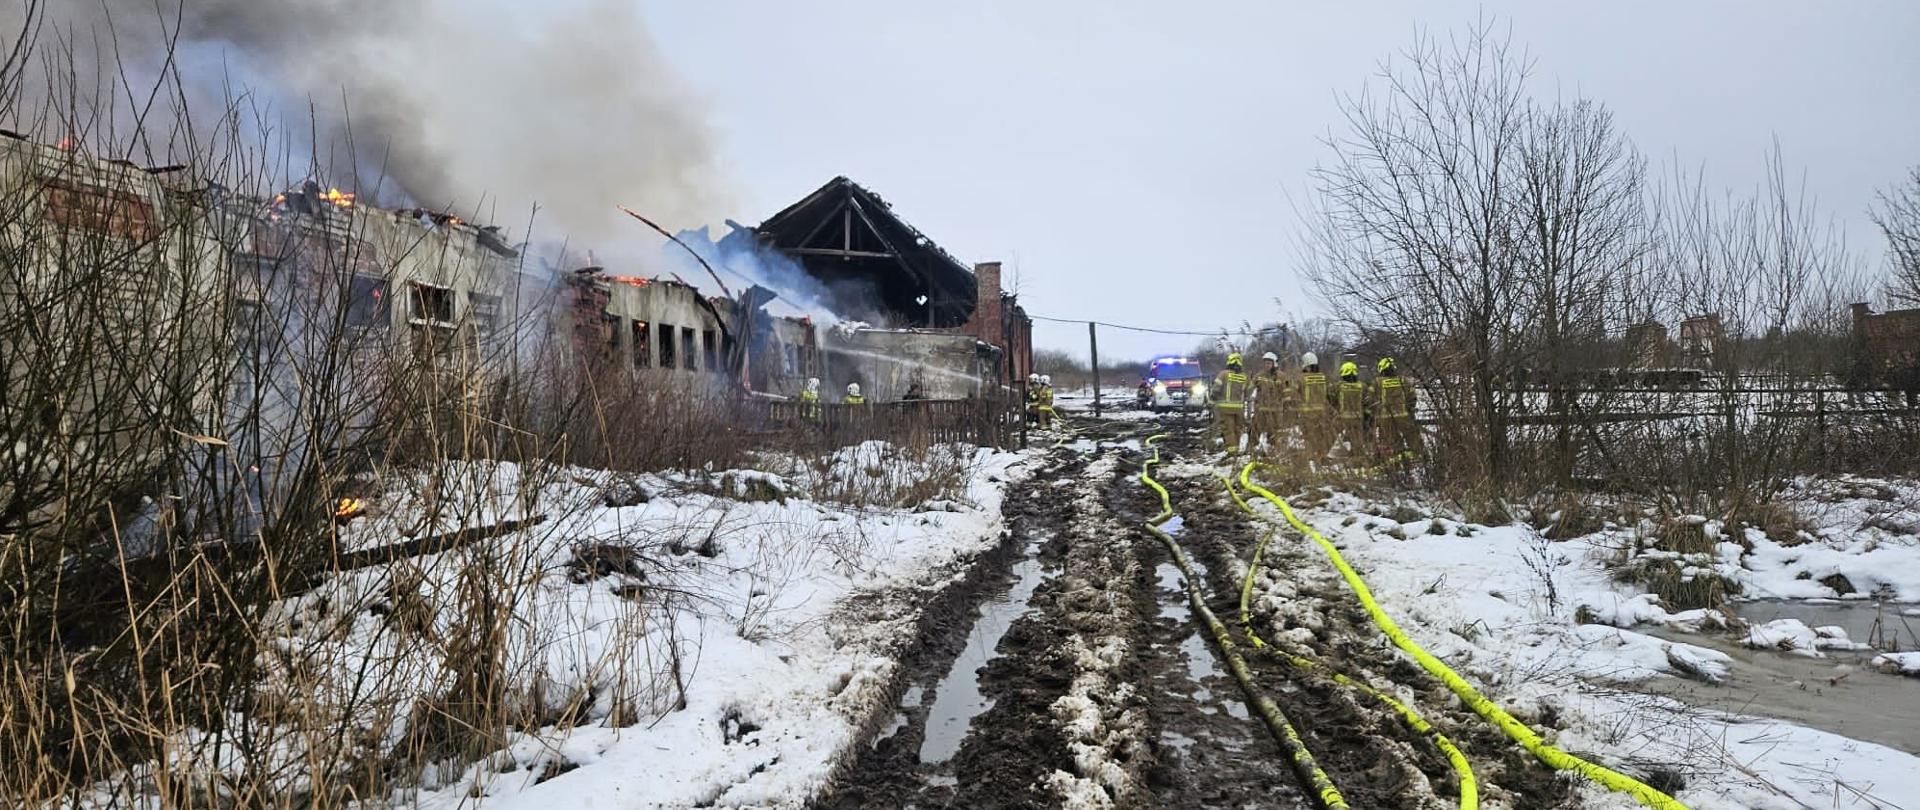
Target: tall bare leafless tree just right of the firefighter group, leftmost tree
{"points": [[1418, 226]]}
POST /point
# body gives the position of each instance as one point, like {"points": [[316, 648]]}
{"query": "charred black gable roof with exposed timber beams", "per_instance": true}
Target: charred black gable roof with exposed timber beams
{"points": [[871, 260]]}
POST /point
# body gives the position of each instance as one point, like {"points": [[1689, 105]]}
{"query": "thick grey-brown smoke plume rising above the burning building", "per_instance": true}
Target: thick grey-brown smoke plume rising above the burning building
{"points": [[473, 107]]}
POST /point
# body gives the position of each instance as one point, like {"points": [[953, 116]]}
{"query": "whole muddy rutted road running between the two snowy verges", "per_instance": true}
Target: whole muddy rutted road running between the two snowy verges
{"points": [[1072, 671]]}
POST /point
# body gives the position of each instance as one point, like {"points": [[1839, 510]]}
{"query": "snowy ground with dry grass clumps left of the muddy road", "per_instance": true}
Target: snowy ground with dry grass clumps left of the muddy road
{"points": [[709, 640]]}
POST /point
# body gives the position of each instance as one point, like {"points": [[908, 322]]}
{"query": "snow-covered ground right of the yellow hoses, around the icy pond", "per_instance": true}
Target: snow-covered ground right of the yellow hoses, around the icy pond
{"points": [[1548, 632]]}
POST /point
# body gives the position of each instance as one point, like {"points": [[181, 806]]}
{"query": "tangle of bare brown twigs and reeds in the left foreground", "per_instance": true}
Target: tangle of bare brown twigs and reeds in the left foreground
{"points": [[183, 617]]}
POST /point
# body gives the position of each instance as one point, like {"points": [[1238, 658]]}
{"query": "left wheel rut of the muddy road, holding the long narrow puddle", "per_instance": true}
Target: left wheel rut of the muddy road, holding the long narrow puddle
{"points": [[938, 751]]}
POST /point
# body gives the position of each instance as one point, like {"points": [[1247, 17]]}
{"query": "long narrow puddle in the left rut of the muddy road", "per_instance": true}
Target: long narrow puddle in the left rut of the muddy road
{"points": [[957, 700]]}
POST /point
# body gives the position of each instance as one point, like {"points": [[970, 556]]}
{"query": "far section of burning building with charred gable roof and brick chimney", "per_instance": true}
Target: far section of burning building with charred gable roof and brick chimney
{"points": [[886, 308]]}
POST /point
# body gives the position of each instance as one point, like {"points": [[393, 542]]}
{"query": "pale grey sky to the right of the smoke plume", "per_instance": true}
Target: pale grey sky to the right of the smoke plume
{"points": [[1134, 160]]}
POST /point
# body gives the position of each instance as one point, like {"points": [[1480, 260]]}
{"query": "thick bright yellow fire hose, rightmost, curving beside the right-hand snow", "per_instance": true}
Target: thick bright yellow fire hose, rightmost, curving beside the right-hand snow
{"points": [[1468, 694]]}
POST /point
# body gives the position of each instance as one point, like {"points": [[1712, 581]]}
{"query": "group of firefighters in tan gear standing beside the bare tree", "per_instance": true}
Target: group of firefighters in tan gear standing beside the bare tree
{"points": [[1347, 412]]}
